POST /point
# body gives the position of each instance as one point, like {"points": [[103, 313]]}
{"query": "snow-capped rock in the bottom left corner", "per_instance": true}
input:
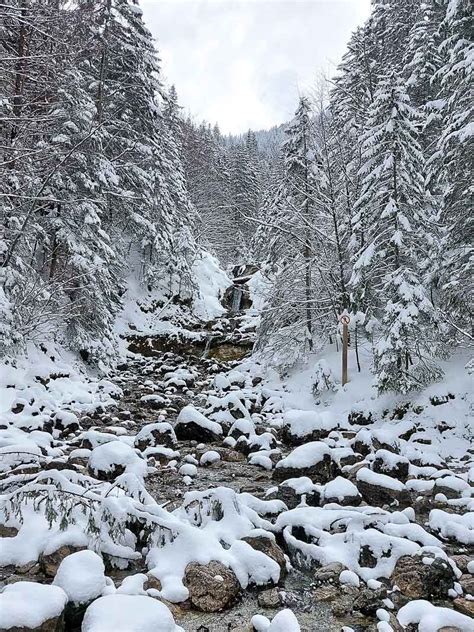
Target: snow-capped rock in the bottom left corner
{"points": [[32, 607]]}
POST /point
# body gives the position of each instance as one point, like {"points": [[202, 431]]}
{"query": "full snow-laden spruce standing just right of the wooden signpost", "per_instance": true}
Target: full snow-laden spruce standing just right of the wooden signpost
{"points": [[391, 224]]}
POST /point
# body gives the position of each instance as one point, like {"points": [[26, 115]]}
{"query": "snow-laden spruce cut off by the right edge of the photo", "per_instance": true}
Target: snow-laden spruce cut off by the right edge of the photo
{"points": [[454, 162]]}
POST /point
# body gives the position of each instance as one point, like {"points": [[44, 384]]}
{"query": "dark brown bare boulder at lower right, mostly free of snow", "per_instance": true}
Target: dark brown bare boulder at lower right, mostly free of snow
{"points": [[417, 580]]}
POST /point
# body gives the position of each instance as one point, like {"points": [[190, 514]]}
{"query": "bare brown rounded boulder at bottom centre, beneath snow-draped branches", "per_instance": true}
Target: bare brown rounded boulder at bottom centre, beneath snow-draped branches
{"points": [[212, 587]]}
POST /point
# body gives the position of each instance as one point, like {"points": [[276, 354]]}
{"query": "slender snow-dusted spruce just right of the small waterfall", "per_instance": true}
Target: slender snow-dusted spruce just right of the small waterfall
{"points": [[289, 317]]}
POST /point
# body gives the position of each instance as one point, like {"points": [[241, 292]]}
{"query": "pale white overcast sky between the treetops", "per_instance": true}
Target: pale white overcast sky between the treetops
{"points": [[242, 63]]}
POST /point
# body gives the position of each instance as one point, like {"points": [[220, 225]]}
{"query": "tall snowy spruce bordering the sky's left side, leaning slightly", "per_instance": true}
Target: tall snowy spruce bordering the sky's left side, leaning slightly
{"points": [[145, 213]]}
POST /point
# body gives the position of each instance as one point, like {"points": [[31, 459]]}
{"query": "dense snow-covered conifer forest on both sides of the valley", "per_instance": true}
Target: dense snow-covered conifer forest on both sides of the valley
{"points": [[366, 208]]}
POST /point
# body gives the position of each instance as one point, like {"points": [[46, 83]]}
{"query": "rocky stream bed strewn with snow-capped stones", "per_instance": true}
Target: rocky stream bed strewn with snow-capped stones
{"points": [[359, 517]]}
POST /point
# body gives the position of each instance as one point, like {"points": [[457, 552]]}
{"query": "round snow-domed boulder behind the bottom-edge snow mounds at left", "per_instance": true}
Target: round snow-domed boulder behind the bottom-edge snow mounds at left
{"points": [[82, 576]]}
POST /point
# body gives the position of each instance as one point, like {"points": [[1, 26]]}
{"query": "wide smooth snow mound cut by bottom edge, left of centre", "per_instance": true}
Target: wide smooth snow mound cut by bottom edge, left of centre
{"points": [[133, 613]]}
